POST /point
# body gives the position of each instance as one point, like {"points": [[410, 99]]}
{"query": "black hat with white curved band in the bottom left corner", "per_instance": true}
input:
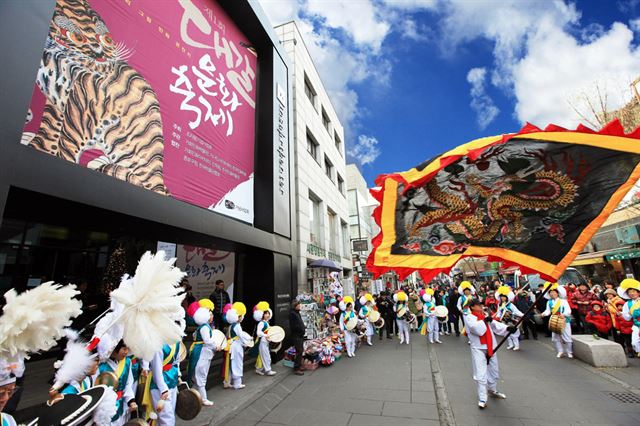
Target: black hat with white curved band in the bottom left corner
{"points": [[72, 410]]}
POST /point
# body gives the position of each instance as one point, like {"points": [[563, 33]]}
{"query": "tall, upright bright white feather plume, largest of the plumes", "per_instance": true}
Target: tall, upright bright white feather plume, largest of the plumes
{"points": [[151, 305]]}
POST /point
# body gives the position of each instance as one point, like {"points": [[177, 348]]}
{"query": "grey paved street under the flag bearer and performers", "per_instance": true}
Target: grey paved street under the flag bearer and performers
{"points": [[393, 384]]}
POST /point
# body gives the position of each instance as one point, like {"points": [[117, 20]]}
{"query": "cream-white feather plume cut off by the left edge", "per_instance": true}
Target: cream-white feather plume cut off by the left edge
{"points": [[32, 321]]}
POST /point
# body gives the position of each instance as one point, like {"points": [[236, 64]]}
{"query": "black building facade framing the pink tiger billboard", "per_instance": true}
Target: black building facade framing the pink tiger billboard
{"points": [[63, 222]]}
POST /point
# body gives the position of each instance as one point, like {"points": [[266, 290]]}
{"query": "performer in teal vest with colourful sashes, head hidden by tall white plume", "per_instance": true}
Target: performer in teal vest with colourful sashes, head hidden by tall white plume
{"points": [[162, 384]]}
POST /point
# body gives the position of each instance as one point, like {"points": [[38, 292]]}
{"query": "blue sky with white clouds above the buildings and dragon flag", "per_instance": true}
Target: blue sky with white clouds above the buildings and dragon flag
{"points": [[413, 78]]}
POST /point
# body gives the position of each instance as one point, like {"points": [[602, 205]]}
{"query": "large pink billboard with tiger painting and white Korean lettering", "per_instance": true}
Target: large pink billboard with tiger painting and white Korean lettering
{"points": [[159, 94]]}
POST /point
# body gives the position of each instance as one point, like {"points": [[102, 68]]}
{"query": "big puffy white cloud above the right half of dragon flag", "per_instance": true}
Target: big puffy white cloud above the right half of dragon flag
{"points": [[559, 71]]}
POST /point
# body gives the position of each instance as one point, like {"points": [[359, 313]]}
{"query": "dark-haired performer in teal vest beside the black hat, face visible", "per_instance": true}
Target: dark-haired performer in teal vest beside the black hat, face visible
{"points": [[114, 359]]}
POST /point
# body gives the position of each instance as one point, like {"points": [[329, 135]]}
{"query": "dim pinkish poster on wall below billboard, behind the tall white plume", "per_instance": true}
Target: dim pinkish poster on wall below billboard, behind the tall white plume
{"points": [[204, 267]]}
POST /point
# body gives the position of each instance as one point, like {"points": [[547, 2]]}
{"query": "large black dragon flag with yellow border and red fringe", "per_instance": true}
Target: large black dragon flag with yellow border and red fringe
{"points": [[531, 199]]}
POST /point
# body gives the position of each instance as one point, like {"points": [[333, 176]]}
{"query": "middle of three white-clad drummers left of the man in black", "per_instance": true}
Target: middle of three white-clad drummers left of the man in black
{"points": [[236, 339]]}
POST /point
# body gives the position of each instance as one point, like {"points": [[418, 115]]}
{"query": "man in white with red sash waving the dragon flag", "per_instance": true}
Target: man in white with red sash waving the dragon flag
{"points": [[482, 330]]}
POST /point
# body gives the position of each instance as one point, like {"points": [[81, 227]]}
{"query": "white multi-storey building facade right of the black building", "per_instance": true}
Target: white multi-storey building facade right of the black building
{"points": [[320, 168]]}
